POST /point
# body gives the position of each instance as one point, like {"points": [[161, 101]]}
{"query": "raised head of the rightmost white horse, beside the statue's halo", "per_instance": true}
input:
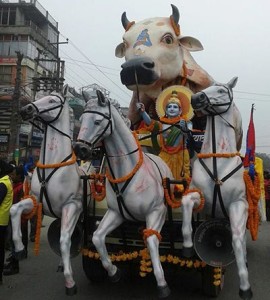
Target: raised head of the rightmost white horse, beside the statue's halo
{"points": [[214, 100]]}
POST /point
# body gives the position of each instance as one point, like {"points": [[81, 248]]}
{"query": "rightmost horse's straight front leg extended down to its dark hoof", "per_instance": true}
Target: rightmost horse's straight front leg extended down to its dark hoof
{"points": [[238, 214]]}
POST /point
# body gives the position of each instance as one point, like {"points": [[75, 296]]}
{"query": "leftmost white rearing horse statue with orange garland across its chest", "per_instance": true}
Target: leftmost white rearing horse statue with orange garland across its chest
{"points": [[56, 179]]}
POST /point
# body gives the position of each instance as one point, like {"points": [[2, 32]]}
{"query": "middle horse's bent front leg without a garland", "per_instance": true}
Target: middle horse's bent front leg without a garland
{"points": [[109, 222]]}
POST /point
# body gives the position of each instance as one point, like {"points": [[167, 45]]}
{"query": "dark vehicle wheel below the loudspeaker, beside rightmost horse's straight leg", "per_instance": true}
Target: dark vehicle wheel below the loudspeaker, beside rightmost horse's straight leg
{"points": [[208, 288]]}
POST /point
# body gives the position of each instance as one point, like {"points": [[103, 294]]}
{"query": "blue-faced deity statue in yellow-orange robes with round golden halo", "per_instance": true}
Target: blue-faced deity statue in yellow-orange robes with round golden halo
{"points": [[174, 125]]}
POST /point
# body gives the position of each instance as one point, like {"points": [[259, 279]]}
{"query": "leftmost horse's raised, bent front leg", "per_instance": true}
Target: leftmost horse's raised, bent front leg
{"points": [[16, 211]]}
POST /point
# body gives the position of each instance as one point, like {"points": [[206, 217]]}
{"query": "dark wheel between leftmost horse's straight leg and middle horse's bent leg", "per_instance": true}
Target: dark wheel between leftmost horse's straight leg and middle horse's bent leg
{"points": [[93, 269]]}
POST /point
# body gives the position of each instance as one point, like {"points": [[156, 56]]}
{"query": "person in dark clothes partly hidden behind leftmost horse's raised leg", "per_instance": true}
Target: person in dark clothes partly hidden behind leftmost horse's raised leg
{"points": [[12, 267]]}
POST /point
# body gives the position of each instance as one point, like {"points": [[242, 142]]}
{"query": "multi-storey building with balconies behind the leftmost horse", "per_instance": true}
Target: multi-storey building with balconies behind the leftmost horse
{"points": [[27, 30]]}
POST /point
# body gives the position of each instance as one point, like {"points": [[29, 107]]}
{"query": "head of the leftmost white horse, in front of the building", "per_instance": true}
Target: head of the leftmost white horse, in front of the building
{"points": [[47, 109]]}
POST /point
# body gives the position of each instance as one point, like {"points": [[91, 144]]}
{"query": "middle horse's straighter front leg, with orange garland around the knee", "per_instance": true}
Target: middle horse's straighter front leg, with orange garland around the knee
{"points": [[155, 221]]}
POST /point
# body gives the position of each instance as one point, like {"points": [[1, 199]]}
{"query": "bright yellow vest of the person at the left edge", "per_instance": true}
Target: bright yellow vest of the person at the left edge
{"points": [[7, 202]]}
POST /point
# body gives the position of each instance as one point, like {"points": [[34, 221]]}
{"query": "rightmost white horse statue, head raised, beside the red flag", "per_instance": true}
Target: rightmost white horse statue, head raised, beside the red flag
{"points": [[218, 173]]}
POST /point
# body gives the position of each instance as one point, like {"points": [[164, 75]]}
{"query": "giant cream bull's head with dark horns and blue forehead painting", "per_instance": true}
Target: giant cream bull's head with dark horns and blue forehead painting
{"points": [[153, 49]]}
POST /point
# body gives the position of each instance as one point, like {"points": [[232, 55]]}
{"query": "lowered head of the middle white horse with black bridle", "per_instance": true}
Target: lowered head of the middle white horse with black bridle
{"points": [[96, 124]]}
